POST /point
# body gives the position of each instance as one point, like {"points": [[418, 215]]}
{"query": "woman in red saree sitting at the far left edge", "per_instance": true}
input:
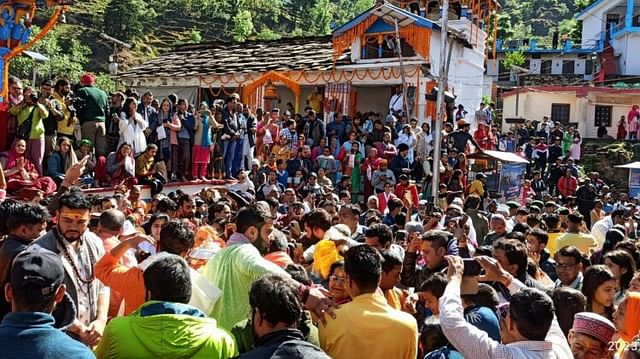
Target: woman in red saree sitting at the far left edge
{"points": [[21, 173]]}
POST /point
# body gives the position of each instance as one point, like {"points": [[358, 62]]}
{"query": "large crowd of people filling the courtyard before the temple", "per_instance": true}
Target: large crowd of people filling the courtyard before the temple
{"points": [[325, 240]]}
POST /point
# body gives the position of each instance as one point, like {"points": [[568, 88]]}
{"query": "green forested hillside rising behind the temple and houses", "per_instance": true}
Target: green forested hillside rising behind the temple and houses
{"points": [[154, 26]]}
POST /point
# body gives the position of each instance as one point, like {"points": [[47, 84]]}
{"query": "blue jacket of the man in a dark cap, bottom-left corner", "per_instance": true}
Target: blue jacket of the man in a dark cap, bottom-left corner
{"points": [[32, 335]]}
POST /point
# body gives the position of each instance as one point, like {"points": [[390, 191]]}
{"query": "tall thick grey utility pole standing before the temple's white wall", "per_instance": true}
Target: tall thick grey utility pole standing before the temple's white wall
{"points": [[442, 86]]}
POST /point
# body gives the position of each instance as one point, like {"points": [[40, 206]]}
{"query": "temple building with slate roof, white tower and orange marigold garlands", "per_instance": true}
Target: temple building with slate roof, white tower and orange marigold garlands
{"points": [[356, 68]]}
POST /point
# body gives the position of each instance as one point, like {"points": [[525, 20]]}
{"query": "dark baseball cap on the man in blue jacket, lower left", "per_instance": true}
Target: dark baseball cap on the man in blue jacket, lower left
{"points": [[37, 269]]}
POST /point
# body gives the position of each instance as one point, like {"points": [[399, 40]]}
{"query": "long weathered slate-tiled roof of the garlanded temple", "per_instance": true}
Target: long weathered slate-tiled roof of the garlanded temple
{"points": [[220, 58]]}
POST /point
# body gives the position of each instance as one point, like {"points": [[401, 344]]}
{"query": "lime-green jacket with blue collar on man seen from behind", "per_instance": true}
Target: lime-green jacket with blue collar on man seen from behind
{"points": [[165, 330]]}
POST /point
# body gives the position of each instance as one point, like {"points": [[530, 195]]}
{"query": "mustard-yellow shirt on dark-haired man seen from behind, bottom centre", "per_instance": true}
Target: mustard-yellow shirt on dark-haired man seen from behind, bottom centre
{"points": [[356, 331]]}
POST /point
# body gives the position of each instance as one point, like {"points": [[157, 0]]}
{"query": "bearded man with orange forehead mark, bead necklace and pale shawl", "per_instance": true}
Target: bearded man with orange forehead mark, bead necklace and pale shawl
{"points": [[79, 250]]}
